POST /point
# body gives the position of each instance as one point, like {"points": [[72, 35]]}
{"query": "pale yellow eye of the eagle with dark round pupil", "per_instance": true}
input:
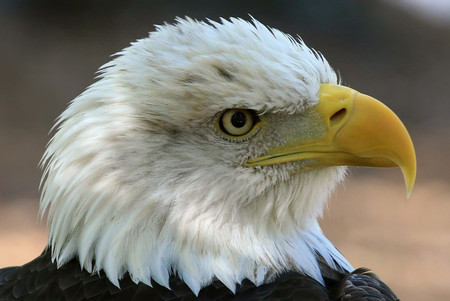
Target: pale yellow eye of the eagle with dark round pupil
{"points": [[237, 122]]}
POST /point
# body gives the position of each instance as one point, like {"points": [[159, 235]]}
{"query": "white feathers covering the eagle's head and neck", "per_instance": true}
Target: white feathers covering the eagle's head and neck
{"points": [[137, 178]]}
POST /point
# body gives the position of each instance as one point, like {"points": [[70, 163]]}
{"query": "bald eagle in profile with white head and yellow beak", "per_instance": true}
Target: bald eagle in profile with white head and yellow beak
{"points": [[197, 167]]}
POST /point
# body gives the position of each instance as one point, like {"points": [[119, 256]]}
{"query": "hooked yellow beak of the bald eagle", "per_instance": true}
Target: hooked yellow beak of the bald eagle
{"points": [[358, 130]]}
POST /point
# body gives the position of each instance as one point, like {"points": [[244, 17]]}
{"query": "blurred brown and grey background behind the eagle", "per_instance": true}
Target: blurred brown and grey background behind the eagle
{"points": [[399, 54]]}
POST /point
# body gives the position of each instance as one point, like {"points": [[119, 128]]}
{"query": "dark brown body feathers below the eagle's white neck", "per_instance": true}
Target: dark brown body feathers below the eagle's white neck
{"points": [[41, 280]]}
